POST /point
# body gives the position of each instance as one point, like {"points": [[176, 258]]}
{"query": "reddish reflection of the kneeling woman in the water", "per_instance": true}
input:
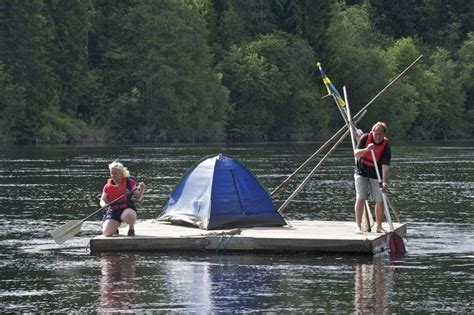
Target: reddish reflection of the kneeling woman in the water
{"points": [[117, 282]]}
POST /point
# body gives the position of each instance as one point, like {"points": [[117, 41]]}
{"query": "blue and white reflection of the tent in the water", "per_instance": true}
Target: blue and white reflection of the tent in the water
{"points": [[221, 283]]}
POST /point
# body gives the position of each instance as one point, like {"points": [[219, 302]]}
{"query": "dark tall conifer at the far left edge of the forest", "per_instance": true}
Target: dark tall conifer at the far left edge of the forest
{"points": [[25, 39]]}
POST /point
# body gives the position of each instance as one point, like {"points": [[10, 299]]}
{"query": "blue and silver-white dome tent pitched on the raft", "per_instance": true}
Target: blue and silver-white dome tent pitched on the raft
{"points": [[220, 193]]}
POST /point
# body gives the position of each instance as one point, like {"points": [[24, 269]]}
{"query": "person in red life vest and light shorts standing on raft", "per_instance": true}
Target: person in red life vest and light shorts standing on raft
{"points": [[366, 176]]}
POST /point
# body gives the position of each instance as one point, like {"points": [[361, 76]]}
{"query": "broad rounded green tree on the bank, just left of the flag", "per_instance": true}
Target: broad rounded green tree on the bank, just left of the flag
{"points": [[270, 80]]}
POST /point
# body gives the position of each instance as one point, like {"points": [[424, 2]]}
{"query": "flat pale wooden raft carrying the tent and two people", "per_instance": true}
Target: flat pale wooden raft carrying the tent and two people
{"points": [[299, 236]]}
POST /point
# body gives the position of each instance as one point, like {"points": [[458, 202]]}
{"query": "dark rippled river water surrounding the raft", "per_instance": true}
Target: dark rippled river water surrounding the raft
{"points": [[42, 187]]}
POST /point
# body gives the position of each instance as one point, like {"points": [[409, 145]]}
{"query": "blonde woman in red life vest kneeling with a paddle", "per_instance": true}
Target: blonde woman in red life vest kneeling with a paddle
{"points": [[124, 209]]}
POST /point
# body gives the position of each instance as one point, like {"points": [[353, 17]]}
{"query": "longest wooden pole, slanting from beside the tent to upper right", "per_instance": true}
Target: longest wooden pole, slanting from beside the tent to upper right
{"points": [[340, 131]]}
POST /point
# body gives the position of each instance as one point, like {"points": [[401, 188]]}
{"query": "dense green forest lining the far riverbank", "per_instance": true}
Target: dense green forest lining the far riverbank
{"points": [[155, 71]]}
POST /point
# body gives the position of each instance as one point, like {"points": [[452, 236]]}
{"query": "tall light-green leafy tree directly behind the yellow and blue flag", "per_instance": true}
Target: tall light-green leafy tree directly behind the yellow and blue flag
{"points": [[358, 61]]}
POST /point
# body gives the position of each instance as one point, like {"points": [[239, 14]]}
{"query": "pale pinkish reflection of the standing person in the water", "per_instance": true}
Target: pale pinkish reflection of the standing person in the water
{"points": [[370, 287]]}
